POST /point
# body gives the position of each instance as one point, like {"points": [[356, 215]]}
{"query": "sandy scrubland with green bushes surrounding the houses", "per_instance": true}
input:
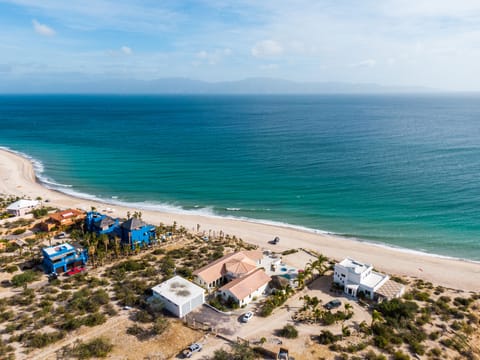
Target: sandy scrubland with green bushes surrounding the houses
{"points": [[106, 311]]}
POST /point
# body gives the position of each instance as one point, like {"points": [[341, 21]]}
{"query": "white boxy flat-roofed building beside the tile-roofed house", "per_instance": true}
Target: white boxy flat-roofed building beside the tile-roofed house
{"points": [[179, 296]]}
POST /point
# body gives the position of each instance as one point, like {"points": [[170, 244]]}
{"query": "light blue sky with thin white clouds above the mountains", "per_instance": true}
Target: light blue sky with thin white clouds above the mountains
{"points": [[433, 43]]}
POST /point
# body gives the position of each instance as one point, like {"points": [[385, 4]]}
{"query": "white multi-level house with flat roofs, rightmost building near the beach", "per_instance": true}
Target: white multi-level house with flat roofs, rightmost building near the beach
{"points": [[356, 277]]}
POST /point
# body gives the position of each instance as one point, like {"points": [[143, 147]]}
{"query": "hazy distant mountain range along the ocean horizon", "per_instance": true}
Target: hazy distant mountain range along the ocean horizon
{"points": [[188, 86]]}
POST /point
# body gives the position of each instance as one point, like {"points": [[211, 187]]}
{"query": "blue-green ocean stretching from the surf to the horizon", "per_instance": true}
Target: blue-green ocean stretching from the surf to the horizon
{"points": [[396, 170]]}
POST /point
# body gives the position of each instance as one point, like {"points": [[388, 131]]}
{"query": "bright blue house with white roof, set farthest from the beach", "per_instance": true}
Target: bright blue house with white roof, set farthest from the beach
{"points": [[61, 258]]}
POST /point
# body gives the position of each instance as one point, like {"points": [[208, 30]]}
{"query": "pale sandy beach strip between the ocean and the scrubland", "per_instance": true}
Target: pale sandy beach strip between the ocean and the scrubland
{"points": [[17, 177]]}
